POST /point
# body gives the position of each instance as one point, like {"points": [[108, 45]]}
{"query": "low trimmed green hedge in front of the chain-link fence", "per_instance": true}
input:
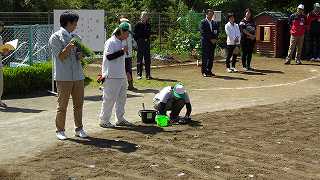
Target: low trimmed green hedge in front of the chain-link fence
{"points": [[24, 80]]}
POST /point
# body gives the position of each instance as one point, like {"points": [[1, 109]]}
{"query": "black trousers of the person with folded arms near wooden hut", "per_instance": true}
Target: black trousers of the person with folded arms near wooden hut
{"points": [[247, 47]]}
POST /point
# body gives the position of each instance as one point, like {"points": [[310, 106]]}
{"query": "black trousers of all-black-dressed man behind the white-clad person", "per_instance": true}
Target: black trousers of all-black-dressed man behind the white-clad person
{"points": [[143, 54]]}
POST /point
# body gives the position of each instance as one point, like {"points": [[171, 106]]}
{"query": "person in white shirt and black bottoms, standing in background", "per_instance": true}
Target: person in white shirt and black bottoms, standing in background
{"points": [[233, 43]]}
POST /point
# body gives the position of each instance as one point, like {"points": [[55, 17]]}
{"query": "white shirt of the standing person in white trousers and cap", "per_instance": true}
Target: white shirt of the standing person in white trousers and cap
{"points": [[113, 69]]}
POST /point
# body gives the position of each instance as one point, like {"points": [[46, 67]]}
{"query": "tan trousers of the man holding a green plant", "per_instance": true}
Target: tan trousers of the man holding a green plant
{"points": [[76, 90]]}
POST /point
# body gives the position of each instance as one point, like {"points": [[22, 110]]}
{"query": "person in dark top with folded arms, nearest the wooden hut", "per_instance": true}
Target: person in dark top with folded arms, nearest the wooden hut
{"points": [[248, 39]]}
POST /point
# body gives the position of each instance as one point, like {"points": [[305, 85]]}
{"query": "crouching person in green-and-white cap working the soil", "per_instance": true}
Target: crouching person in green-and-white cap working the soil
{"points": [[173, 99]]}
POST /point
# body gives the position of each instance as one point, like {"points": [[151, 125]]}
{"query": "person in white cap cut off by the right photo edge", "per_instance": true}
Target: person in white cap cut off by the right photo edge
{"points": [[313, 22]]}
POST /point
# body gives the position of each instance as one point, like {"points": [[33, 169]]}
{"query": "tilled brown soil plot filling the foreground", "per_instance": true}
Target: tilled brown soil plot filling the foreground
{"points": [[279, 141]]}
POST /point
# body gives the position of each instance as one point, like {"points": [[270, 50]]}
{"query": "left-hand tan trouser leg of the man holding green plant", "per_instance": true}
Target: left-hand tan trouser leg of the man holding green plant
{"points": [[64, 89]]}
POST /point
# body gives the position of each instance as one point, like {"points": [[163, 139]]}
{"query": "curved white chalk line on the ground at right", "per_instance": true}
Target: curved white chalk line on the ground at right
{"points": [[259, 87]]}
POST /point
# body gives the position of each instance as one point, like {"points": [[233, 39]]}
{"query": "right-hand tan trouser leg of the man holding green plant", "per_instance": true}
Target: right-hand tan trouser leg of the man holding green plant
{"points": [[77, 94]]}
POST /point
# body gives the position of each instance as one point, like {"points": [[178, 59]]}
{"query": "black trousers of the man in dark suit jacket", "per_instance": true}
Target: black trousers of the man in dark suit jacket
{"points": [[207, 56]]}
